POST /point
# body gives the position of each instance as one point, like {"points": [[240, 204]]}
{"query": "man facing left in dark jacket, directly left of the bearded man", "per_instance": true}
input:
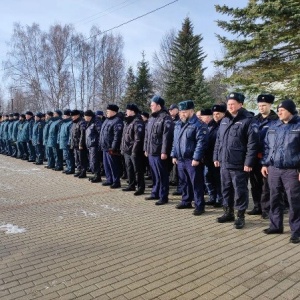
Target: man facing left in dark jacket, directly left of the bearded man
{"points": [[157, 147]]}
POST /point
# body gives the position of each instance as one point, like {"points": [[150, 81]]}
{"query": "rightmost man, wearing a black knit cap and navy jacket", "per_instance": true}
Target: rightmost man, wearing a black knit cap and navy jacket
{"points": [[281, 164]]}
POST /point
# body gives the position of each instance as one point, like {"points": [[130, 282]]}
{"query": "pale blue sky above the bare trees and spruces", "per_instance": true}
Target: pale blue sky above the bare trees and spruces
{"points": [[143, 34]]}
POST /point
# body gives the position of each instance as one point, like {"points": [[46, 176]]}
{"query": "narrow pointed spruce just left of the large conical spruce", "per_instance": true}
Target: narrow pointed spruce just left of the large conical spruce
{"points": [[143, 84]]}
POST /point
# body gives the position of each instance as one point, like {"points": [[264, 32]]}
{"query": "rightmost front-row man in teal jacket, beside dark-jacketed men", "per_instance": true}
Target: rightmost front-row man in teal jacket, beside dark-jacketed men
{"points": [[64, 142]]}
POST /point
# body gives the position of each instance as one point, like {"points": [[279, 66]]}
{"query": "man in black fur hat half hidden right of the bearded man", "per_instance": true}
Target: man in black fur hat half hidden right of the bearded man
{"points": [[212, 174]]}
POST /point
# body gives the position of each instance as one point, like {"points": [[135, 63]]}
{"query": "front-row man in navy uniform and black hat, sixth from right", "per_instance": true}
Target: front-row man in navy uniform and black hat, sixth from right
{"points": [[110, 142]]}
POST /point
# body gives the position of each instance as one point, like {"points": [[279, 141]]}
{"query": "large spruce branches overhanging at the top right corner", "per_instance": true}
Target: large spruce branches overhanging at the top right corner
{"points": [[265, 55]]}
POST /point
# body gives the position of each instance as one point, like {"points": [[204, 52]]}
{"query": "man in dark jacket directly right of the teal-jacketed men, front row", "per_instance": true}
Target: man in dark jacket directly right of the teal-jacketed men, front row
{"points": [[77, 143]]}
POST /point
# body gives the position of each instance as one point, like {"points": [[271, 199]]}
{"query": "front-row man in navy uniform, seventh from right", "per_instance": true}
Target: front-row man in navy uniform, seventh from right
{"points": [[92, 141]]}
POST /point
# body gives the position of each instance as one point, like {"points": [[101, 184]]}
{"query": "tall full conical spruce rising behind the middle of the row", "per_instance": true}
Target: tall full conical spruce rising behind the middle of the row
{"points": [[186, 80]]}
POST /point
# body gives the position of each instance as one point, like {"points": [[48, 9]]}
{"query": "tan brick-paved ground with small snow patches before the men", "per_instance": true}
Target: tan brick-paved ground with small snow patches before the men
{"points": [[85, 241]]}
